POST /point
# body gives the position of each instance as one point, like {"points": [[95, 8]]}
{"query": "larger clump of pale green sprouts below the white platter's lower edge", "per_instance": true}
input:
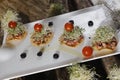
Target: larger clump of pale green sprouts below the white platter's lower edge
{"points": [[81, 73]]}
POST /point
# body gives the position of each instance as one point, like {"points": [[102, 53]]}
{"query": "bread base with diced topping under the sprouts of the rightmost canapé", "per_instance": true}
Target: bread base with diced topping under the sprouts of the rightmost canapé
{"points": [[103, 48]]}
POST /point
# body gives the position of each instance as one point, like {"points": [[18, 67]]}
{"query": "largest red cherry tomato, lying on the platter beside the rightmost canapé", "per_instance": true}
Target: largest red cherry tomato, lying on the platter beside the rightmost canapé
{"points": [[87, 51]]}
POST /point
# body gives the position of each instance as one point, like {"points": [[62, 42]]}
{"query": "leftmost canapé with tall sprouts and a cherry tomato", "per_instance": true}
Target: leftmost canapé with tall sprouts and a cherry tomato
{"points": [[11, 25]]}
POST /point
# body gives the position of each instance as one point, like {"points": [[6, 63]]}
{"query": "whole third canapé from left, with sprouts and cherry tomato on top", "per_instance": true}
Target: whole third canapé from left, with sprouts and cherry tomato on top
{"points": [[72, 35]]}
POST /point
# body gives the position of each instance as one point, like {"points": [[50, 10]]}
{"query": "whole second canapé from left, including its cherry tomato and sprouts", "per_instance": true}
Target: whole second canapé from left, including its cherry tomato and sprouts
{"points": [[41, 35]]}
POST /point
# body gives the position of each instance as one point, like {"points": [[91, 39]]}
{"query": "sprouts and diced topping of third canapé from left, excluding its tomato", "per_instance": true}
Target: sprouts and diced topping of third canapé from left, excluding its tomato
{"points": [[72, 38]]}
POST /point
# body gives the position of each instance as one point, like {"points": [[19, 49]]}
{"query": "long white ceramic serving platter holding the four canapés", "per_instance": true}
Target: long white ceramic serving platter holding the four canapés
{"points": [[12, 65]]}
